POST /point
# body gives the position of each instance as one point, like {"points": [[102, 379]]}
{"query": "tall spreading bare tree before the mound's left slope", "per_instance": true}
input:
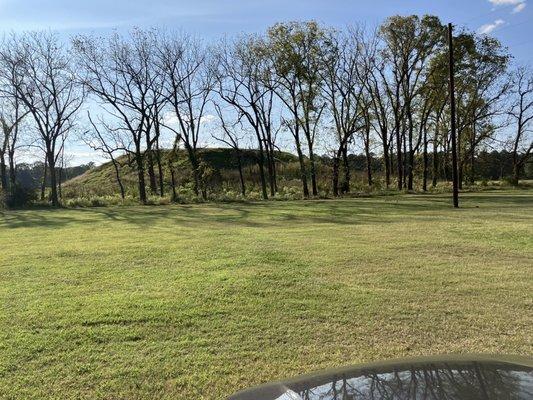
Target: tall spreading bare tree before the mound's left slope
{"points": [[120, 74]]}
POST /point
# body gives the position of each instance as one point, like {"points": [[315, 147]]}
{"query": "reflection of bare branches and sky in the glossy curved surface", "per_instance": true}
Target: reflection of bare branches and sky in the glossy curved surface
{"points": [[484, 381]]}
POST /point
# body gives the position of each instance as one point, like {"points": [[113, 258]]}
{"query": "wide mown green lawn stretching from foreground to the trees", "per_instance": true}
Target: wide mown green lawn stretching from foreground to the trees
{"points": [[196, 302]]}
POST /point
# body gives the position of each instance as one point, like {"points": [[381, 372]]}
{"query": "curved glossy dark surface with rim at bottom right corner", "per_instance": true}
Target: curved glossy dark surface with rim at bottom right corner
{"points": [[436, 378]]}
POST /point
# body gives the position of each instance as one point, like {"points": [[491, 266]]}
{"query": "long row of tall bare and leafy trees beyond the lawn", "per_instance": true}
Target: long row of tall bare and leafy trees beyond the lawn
{"points": [[302, 84]]}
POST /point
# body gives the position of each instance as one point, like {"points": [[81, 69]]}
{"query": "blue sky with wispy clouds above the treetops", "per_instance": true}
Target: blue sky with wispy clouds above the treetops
{"points": [[509, 20]]}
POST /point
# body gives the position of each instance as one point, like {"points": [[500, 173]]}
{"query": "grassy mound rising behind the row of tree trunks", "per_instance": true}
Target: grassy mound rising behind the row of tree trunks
{"points": [[221, 164]]}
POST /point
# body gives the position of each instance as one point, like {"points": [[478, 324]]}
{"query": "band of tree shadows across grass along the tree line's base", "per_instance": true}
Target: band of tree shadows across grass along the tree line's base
{"points": [[287, 214]]}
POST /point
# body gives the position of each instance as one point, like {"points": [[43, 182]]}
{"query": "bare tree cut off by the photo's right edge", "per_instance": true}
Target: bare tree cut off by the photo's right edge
{"points": [[521, 113]]}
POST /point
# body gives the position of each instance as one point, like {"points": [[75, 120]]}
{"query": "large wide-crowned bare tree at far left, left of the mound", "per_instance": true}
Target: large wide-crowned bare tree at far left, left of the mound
{"points": [[40, 71]]}
